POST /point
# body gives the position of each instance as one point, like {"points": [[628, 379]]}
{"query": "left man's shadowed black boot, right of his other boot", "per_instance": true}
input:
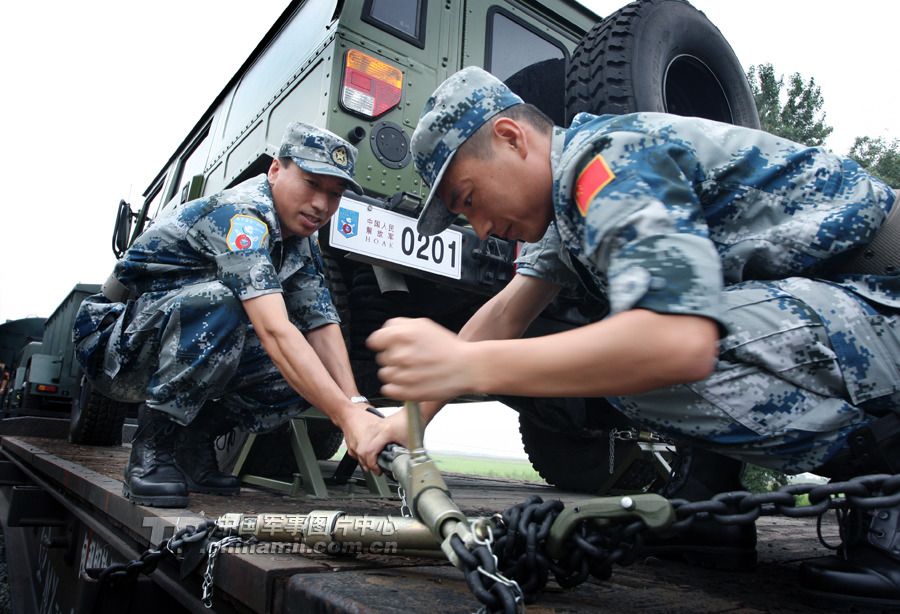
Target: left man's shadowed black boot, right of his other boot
{"points": [[195, 456]]}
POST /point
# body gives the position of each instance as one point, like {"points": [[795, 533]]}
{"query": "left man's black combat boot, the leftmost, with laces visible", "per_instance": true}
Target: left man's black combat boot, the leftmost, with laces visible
{"points": [[151, 477]]}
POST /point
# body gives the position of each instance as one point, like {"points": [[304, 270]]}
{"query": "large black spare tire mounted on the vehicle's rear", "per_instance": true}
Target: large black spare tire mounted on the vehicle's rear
{"points": [[659, 55]]}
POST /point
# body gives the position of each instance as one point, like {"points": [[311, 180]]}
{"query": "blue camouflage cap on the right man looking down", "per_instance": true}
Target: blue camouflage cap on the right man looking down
{"points": [[457, 108]]}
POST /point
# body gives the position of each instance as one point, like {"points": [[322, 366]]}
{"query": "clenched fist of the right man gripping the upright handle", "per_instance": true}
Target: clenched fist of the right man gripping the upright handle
{"points": [[421, 361]]}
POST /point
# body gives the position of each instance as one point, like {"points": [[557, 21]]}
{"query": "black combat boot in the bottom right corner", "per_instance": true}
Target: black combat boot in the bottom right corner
{"points": [[865, 574]]}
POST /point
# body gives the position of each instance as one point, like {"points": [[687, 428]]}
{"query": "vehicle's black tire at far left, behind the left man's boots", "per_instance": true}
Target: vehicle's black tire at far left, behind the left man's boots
{"points": [[96, 420]]}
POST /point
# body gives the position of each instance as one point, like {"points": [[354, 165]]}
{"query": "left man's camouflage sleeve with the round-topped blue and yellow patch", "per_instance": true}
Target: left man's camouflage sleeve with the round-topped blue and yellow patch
{"points": [[237, 239]]}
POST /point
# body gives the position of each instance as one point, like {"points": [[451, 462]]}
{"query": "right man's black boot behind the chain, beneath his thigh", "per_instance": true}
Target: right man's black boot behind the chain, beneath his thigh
{"points": [[697, 476]]}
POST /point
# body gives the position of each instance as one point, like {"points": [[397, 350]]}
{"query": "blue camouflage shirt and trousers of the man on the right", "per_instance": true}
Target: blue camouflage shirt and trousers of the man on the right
{"points": [[688, 216]]}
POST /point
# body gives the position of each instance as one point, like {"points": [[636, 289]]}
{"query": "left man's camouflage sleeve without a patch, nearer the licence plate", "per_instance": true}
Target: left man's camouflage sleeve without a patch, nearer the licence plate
{"points": [[307, 297]]}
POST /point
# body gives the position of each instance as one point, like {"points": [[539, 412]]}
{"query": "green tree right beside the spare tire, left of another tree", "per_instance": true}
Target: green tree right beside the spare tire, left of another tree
{"points": [[795, 114]]}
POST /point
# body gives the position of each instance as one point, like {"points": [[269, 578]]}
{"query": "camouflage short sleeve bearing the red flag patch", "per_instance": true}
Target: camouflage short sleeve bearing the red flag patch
{"points": [[643, 224]]}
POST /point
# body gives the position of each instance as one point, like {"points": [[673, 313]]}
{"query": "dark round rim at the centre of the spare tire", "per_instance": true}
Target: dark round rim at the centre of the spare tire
{"points": [[691, 89]]}
